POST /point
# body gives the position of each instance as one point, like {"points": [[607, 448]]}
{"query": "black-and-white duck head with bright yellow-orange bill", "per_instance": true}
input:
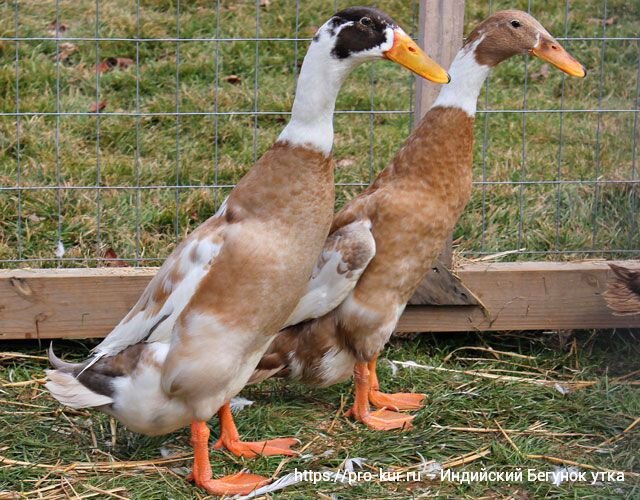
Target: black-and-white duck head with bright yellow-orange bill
{"points": [[360, 34]]}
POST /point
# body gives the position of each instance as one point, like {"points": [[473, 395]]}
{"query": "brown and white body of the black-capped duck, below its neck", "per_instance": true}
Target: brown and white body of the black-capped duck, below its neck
{"points": [[262, 245]]}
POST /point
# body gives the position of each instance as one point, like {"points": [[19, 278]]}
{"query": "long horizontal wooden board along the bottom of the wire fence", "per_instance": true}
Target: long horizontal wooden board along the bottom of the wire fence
{"points": [[83, 303]]}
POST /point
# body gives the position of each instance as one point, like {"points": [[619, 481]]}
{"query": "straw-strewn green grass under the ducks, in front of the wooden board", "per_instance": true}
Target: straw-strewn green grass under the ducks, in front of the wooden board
{"points": [[50, 434]]}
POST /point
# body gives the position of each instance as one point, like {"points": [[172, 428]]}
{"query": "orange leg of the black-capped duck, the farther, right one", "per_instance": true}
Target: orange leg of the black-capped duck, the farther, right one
{"points": [[230, 439]]}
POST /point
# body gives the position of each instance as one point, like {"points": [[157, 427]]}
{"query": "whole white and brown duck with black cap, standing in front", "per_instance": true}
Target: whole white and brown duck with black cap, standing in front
{"points": [[193, 339]]}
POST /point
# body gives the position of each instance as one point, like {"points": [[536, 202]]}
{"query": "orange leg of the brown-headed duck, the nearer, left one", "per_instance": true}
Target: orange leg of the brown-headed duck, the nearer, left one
{"points": [[379, 420]]}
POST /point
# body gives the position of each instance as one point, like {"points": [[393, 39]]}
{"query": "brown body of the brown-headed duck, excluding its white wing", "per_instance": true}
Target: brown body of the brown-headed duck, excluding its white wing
{"points": [[413, 206]]}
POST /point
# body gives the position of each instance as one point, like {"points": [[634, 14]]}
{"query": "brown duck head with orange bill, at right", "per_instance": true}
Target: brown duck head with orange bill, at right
{"points": [[512, 32]]}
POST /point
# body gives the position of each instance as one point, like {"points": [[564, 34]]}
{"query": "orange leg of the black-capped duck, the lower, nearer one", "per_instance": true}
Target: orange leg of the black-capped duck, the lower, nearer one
{"points": [[236, 484]]}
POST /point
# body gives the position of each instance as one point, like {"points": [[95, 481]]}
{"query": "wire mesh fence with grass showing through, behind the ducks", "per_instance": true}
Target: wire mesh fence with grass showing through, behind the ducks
{"points": [[124, 125]]}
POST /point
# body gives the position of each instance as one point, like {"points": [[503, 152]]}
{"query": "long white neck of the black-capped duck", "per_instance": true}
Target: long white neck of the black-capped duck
{"points": [[320, 79]]}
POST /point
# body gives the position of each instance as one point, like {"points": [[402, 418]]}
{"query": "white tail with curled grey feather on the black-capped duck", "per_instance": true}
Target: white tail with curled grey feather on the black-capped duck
{"points": [[67, 389]]}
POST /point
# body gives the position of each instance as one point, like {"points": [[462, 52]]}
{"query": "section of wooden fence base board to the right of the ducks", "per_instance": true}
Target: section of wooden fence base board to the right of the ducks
{"points": [[527, 296]]}
